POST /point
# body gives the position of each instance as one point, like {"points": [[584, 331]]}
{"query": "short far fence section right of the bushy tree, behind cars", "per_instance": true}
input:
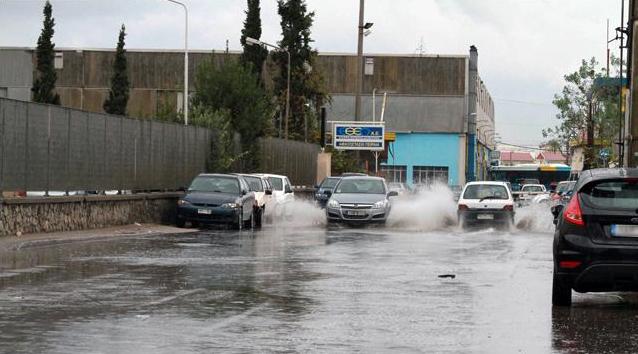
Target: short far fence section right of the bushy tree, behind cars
{"points": [[295, 159]]}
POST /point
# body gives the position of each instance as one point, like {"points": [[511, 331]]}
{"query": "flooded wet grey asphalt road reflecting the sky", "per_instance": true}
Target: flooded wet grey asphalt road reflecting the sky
{"points": [[306, 288]]}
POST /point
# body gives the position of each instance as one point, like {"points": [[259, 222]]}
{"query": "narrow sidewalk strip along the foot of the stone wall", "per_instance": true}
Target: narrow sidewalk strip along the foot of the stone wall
{"points": [[13, 243]]}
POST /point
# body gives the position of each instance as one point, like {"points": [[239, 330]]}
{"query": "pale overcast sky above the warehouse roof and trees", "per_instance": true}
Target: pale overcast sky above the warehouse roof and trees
{"points": [[525, 46]]}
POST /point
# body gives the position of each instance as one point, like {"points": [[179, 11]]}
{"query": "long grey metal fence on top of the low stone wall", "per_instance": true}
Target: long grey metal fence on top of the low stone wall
{"points": [[49, 148]]}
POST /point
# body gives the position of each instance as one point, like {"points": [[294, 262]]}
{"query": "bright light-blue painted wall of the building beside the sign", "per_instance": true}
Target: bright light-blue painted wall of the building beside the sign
{"points": [[425, 149]]}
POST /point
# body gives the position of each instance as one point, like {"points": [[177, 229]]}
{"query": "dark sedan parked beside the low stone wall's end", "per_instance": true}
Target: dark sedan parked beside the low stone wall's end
{"points": [[218, 199]]}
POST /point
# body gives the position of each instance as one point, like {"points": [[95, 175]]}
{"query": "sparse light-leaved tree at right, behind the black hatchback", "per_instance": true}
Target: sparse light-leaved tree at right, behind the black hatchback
{"points": [[585, 93]]}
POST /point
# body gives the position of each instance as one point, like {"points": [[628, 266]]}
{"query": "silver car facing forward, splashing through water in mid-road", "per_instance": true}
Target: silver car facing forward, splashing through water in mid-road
{"points": [[360, 199]]}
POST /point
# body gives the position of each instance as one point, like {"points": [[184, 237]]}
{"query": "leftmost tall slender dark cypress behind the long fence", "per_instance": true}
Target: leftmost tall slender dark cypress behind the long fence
{"points": [[44, 84]]}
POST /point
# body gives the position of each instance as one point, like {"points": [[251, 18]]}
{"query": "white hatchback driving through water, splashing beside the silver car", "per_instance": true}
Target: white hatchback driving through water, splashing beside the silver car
{"points": [[486, 203]]}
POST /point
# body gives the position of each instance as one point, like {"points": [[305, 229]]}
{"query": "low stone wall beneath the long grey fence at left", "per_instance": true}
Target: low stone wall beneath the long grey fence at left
{"points": [[52, 214]]}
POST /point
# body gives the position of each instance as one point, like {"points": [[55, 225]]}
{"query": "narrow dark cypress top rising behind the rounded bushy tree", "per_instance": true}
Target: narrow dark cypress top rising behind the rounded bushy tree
{"points": [[253, 55]]}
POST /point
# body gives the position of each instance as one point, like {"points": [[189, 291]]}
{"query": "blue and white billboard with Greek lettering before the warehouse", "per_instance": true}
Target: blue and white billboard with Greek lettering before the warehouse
{"points": [[359, 136]]}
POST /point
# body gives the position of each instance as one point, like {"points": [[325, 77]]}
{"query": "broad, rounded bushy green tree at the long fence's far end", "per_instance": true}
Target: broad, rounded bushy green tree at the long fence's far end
{"points": [[232, 94]]}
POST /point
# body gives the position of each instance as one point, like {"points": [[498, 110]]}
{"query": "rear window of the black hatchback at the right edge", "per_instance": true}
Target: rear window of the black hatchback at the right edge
{"points": [[616, 194]]}
